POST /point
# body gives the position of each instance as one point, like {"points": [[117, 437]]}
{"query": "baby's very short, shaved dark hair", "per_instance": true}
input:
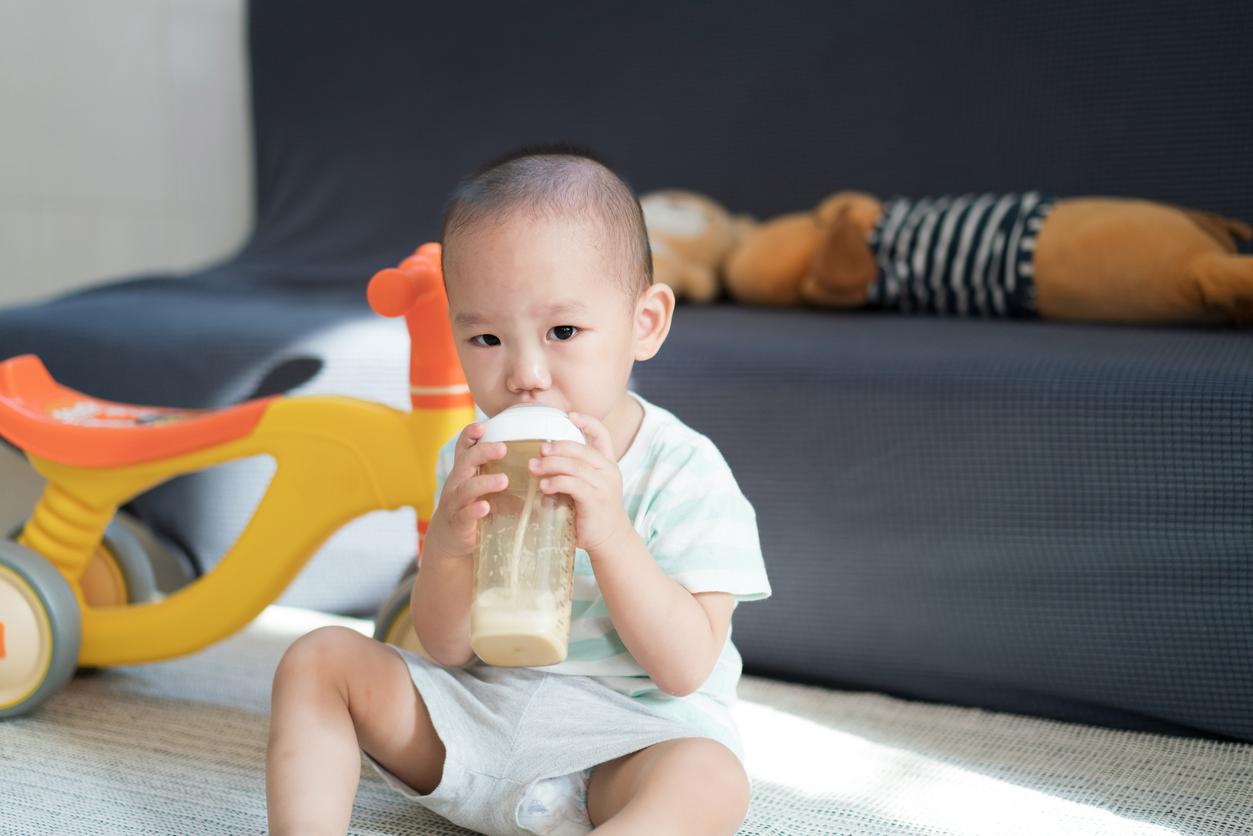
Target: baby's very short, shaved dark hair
{"points": [[557, 181]]}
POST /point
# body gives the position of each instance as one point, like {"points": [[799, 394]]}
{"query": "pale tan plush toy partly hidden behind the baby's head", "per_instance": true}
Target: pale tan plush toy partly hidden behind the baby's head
{"points": [[691, 236]]}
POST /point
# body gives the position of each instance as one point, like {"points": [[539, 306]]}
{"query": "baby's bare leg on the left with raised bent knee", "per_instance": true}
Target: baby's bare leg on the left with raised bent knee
{"points": [[336, 690]]}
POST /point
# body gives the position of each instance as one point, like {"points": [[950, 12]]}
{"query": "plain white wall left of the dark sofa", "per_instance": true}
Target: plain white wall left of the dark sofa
{"points": [[125, 140]]}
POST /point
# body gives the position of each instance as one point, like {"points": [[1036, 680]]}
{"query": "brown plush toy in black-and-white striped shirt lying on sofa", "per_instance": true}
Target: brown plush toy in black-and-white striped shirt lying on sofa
{"points": [[1016, 255]]}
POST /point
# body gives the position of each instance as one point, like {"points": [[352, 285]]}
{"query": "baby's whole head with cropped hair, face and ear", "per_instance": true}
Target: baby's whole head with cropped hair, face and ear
{"points": [[551, 283]]}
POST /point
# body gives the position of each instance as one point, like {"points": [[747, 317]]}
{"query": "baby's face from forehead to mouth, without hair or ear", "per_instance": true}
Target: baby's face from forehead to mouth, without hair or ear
{"points": [[537, 316]]}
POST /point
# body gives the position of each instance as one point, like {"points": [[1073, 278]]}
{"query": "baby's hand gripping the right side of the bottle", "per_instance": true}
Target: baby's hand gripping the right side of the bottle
{"points": [[590, 474]]}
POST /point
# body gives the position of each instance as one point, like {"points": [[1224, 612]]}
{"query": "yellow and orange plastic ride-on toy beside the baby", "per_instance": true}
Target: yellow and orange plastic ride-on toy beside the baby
{"points": [[76, 590]]}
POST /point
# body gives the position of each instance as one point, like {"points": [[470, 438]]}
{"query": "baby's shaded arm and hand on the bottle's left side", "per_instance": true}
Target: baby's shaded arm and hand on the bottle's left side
{"points": [[440, 605]]}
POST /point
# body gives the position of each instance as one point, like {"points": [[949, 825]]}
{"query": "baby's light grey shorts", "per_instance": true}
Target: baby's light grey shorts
{"points": [[522, 744]]}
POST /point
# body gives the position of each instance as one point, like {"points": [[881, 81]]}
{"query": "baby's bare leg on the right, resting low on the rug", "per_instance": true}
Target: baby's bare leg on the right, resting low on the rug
{"points": [[692, 785]]}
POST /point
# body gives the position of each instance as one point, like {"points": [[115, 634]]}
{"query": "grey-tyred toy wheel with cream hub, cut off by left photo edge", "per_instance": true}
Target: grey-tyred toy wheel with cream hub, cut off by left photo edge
{"points": [[41, 630]]}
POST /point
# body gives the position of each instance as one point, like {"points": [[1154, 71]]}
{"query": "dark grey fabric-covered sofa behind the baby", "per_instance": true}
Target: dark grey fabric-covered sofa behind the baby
{"points": [[1032, 517]]}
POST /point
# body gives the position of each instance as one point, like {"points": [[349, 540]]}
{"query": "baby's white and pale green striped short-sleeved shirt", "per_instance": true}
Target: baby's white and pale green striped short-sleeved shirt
{"points": [[689, 509]]}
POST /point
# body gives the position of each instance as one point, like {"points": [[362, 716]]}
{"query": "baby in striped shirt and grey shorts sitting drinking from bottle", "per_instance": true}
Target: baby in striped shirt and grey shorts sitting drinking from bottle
{"points": [[552, 301]]}
